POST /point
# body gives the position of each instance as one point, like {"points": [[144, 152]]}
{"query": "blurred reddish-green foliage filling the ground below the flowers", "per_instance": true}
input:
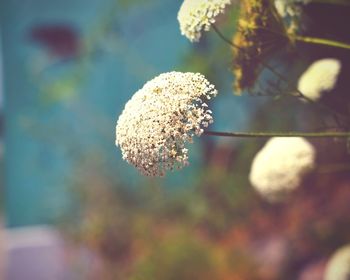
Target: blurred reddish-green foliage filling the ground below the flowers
{"points": [[220, 229]]}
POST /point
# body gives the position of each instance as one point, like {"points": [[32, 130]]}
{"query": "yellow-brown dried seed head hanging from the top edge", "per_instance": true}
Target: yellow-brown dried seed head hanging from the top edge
{"points": [[259, 33]]}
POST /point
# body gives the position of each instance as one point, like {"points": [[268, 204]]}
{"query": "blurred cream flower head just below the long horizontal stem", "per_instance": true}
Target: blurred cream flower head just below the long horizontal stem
{"points": [[280, 165]]}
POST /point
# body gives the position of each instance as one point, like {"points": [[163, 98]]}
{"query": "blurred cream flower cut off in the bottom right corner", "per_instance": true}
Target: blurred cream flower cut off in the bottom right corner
{"points": [[338, 267]]}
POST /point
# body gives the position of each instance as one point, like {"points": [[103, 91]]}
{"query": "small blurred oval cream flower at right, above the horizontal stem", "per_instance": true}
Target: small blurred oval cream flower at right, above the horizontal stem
{"points": [[320, 77]]}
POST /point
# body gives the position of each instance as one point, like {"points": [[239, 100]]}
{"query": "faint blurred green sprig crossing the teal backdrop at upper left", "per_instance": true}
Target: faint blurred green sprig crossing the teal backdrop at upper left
{"points": [[67, 85]]}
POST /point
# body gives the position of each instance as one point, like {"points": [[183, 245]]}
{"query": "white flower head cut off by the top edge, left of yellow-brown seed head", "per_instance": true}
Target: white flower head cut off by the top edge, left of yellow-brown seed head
{"points": [[197, 15]]}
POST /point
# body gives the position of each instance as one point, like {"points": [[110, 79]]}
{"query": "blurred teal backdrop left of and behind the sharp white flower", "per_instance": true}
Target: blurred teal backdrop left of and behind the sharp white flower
{"points": [[61, 113]]}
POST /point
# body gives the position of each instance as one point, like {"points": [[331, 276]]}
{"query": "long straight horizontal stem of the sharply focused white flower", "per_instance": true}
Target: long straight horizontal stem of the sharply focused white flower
{"points": [[325, 134]]}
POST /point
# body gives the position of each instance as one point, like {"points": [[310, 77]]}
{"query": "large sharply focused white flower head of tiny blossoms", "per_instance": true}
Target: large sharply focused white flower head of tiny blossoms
{"points": [[160, 118]]}
